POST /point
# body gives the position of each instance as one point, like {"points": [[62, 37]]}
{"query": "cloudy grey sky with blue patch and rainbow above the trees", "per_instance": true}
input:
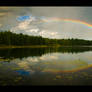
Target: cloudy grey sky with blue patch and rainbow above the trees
{"points": [[49, 22]]}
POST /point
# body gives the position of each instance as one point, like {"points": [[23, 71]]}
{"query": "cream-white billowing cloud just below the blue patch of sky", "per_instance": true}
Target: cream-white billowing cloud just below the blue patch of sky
{"points": [[25, 26]]}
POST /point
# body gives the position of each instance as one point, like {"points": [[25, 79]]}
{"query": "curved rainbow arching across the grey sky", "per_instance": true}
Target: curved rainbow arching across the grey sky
{"points": [[67, 20]]}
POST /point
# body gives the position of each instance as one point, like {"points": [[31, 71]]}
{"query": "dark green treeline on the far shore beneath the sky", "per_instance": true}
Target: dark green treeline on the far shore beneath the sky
{"points": [[8, 38]]}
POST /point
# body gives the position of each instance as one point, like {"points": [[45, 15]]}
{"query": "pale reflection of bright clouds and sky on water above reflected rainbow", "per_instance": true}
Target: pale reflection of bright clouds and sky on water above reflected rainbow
{"points": [[55, 62]]}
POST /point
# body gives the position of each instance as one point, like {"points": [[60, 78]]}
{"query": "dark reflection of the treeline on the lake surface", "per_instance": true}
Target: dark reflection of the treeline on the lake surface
{"points": [[26, 52]]}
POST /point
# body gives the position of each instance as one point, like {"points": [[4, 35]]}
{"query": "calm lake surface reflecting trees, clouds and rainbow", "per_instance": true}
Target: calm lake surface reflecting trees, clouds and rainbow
{"points": [[46, 66]]}
